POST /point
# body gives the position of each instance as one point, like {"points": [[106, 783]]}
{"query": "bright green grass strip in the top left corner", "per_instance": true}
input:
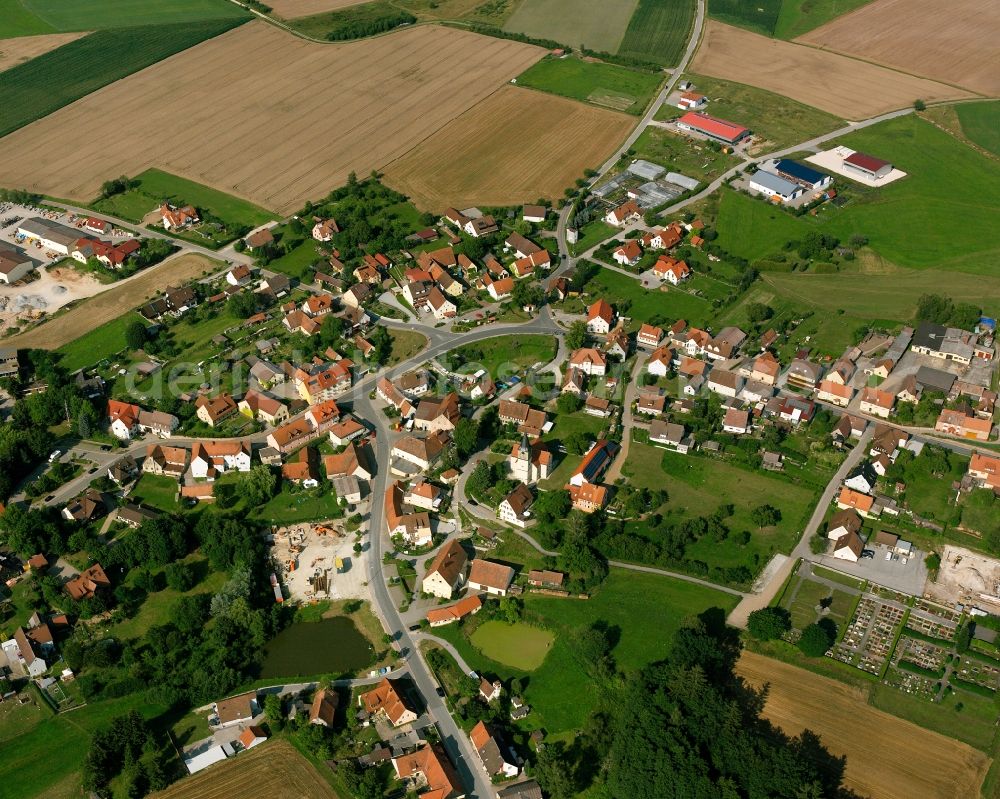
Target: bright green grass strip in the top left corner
{"points": [[28, 17]]}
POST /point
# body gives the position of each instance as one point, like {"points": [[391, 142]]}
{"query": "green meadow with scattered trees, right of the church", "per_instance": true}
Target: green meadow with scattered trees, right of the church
{"points": [[696, 486]]}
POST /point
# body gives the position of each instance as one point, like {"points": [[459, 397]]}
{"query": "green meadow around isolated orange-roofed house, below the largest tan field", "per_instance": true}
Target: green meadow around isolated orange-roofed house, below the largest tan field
{"points": [[155, 186]]}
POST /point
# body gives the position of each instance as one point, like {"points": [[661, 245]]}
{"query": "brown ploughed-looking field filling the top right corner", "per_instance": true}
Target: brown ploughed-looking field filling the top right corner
{"points": [[955, 42]]}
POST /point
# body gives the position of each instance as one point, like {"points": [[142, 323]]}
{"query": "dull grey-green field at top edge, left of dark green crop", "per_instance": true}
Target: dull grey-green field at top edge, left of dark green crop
{"points": [[600, 26]]}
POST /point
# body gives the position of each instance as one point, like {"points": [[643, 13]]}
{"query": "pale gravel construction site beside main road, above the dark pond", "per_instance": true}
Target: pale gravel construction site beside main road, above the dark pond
{"points": [[317, 561]]}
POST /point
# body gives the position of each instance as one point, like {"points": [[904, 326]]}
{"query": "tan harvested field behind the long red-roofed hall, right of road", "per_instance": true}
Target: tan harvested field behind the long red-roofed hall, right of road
{"points": [[843, 86]]}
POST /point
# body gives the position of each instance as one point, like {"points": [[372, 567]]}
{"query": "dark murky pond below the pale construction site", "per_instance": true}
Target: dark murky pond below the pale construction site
{"points": [[305, 648]]}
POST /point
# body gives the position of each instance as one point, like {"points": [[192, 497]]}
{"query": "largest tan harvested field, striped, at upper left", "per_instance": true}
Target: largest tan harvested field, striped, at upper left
{"points": [[264, 115]]}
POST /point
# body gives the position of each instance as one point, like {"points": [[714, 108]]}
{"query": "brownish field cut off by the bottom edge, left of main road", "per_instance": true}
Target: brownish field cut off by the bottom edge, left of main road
{"points": [[274, 770]]}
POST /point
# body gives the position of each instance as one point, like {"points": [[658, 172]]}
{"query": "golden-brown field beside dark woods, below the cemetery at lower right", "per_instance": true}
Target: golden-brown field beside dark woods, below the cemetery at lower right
{"points": [[887, 758]]}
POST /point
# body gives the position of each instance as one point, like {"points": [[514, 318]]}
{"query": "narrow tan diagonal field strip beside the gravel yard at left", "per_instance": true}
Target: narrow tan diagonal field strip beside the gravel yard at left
{"points": [[111, 304]]}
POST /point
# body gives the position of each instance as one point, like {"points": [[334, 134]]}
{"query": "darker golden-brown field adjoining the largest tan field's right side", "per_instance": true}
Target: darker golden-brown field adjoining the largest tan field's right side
{"points": [[511, 148]]}
